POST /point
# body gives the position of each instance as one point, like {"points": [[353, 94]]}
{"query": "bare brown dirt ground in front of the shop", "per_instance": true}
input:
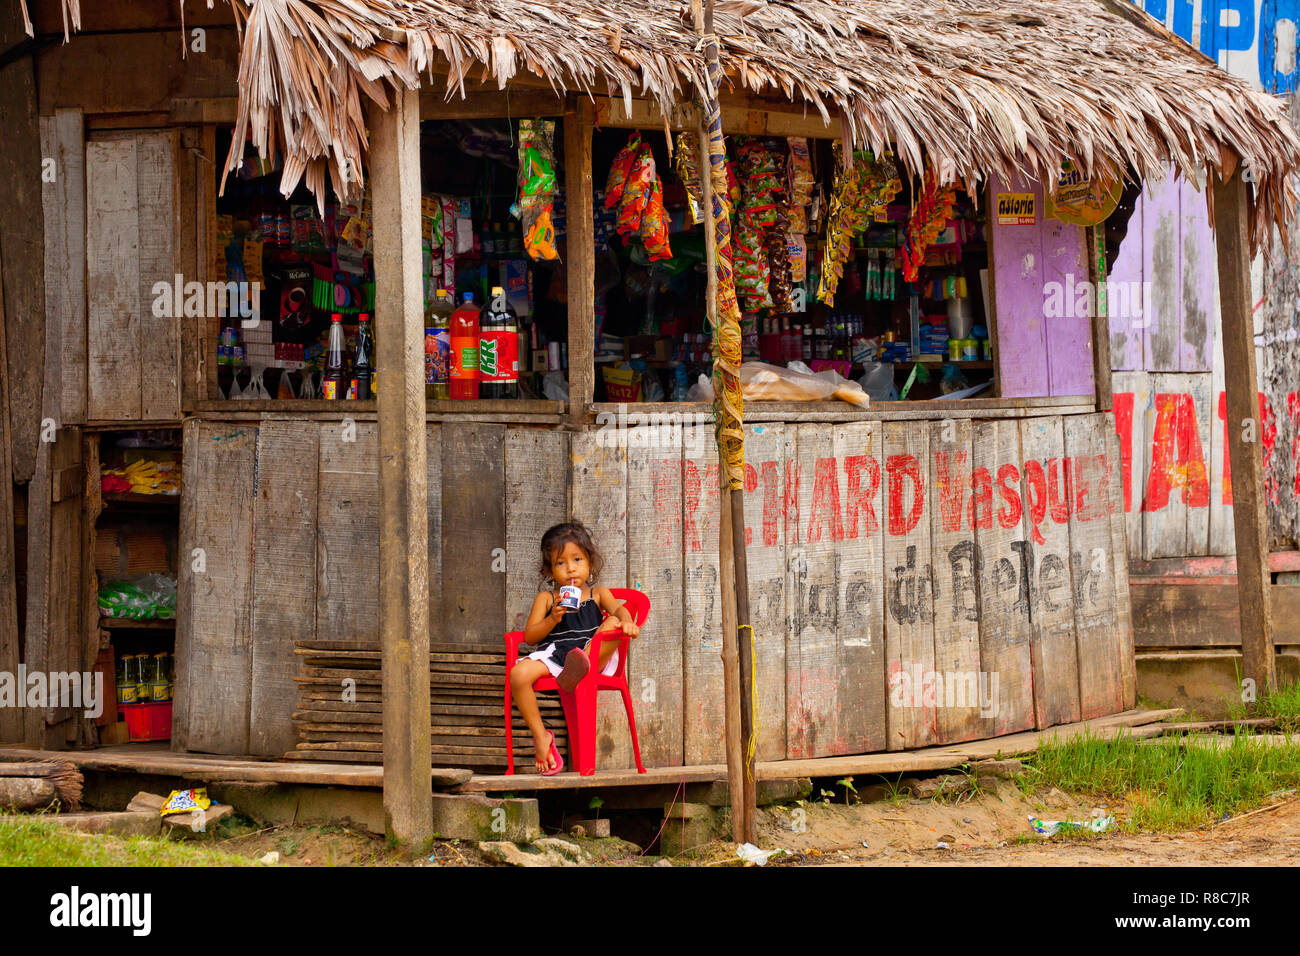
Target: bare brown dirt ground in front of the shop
{"points": [[986, 830]]}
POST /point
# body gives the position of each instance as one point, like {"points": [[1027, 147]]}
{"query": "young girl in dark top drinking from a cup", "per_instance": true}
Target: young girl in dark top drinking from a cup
{"points": [[564, 637]]}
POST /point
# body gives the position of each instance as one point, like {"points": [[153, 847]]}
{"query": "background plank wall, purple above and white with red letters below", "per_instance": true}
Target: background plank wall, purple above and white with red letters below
{"points": [[1169, 383]]}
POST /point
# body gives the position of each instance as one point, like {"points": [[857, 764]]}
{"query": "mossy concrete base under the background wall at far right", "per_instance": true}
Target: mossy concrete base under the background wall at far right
{"points": [[1206, 684]]}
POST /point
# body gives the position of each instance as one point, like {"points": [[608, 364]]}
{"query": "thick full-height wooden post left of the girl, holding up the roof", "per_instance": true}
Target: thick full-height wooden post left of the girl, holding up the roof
{"points": [[404, 486]]}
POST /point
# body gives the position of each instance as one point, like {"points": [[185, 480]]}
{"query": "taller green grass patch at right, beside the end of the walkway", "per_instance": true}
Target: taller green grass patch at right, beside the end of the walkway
{"points": [[1168, 786]]}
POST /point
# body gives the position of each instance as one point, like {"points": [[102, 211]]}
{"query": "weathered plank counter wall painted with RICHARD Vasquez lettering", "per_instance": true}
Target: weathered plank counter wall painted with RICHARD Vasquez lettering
{"points": [[911, 583]]}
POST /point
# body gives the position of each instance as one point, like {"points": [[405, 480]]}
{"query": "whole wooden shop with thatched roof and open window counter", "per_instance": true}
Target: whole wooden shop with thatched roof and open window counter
{"points": [[920, 573]]}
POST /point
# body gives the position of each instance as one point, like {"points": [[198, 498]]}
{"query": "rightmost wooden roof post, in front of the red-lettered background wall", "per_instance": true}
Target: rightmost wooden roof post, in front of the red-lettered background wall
{"points": [[1245, 430]]}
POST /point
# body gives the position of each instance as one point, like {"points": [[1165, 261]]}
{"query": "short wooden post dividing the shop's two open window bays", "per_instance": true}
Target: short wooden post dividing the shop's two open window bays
{"points": [[580, 256]]}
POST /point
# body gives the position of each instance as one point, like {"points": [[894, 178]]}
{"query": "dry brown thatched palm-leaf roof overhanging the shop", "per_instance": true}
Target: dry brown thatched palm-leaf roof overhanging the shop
{"points": [[974, 86]]}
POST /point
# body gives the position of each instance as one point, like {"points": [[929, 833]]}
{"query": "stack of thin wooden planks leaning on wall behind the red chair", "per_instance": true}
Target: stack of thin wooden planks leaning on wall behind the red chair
{"points": [[340, 711]]}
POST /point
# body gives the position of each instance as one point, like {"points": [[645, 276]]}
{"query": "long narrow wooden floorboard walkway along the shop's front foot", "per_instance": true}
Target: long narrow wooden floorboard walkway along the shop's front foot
{"points": [[145, 759]]}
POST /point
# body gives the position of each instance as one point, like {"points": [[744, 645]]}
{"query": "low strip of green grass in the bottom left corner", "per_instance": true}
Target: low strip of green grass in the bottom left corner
{"points": [[38, 843]]}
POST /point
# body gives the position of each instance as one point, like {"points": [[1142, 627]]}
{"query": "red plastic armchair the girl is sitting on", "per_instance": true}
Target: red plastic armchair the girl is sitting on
{"points": [[580, 706]]}
